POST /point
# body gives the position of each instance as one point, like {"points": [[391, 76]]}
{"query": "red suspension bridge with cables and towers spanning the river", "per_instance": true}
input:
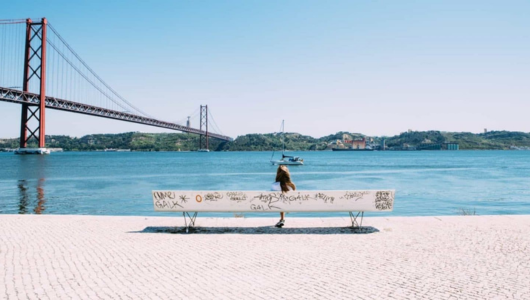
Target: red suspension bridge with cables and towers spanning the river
{"points": [[39, 70]]}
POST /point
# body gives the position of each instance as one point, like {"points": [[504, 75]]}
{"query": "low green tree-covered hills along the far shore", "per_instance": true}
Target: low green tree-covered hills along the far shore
{"points": [[137, 141]]}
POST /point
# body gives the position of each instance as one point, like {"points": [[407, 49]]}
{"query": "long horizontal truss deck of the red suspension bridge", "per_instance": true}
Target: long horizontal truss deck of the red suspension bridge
{"points": [[16, 96]]}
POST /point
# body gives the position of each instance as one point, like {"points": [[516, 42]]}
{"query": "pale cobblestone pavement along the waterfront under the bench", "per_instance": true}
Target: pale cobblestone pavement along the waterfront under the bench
{"points": [[90, 257]]}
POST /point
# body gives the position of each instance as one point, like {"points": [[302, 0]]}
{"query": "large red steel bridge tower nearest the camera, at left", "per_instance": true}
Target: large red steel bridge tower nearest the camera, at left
{"points": [[34, 70]]}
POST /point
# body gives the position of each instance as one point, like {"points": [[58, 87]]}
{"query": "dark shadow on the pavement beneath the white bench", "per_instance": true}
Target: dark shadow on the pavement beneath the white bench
{"points": [[260, 230]]}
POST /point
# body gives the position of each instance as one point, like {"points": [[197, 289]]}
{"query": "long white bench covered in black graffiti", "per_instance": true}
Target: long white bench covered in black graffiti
{"points": [[259, 201]]}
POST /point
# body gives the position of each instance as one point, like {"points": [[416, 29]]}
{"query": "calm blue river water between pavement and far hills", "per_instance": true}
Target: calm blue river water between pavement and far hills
{"points": [[426, 183]]}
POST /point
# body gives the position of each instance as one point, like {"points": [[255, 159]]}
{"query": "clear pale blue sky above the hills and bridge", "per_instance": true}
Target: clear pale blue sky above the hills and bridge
{"points": [[374, 67]]}
